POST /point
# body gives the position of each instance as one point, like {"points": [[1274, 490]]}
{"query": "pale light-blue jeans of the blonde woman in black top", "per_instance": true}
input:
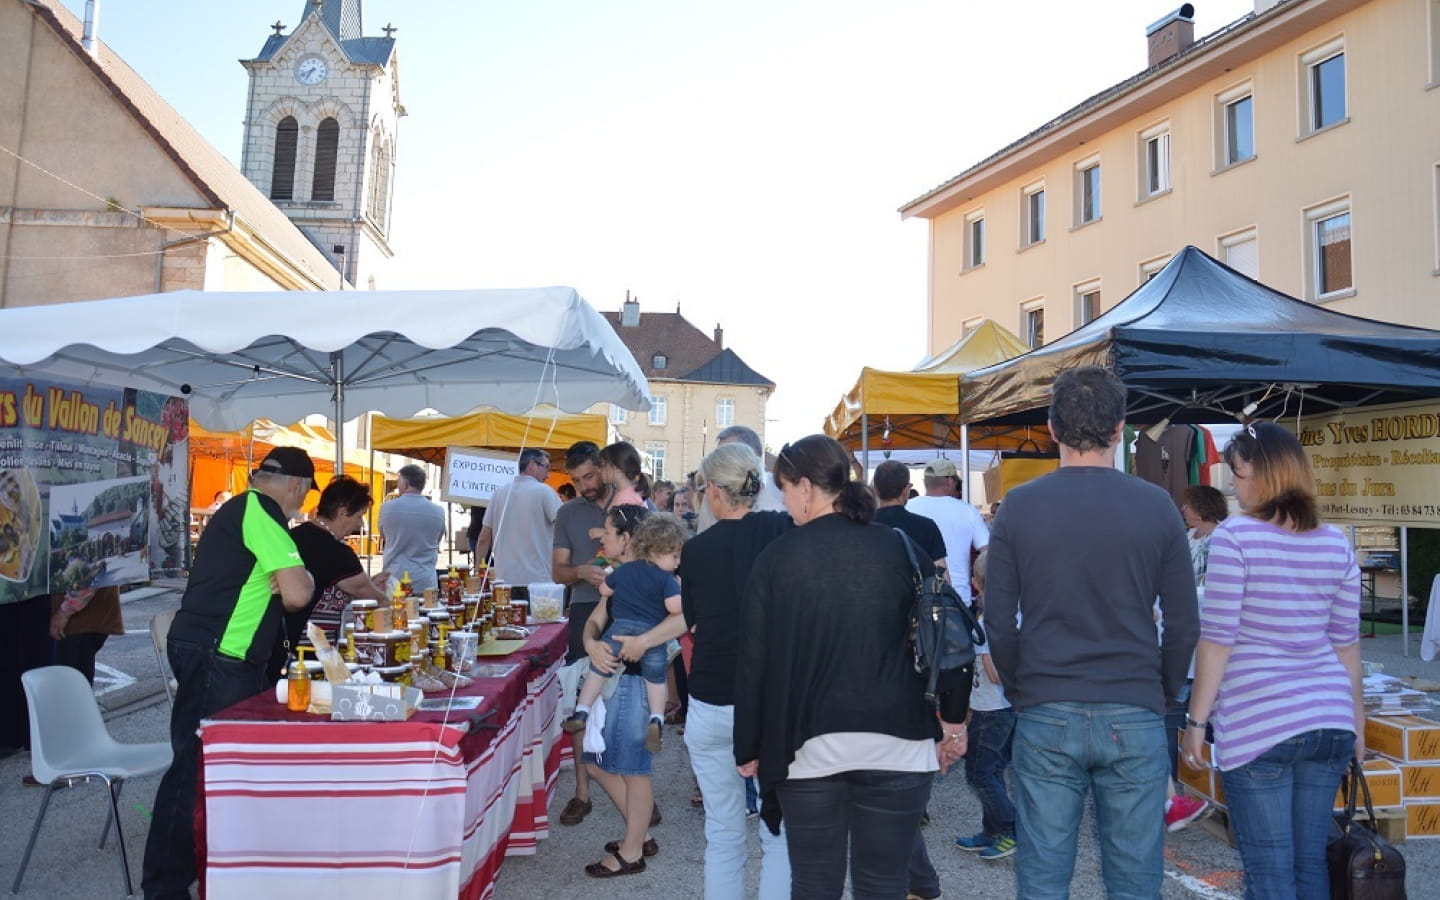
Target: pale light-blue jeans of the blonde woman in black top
{"points": [[711, 741]]}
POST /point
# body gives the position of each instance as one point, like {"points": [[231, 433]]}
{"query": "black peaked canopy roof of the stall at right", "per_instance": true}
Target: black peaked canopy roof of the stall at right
{"points": [[1200, 343]]}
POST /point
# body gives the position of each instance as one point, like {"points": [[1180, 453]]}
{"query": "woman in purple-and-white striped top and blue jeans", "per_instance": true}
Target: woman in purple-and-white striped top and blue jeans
{"points": [[1278, 666]]}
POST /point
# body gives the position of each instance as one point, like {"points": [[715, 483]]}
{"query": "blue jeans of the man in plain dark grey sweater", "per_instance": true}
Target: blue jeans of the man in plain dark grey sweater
{"points": [[1115, 752]]}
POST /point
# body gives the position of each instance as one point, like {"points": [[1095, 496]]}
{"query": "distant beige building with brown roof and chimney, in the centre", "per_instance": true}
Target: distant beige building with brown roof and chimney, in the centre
{"points": [[698, 385]]}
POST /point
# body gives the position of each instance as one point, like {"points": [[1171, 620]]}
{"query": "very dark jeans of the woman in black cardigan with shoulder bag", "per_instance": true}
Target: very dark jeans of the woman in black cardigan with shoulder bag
{"points": [[872, 817]]}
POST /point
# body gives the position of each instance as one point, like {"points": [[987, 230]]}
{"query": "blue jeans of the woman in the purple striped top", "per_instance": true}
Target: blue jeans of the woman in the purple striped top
{"points": [[1281, 810]]}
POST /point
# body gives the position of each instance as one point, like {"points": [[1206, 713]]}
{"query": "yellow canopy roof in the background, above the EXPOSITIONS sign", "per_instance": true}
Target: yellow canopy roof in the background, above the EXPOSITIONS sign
{"points": [[427, 437]]}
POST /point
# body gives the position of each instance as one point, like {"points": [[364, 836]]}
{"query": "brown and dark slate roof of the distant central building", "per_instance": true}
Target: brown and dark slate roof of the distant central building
{"points": [[690, 355]]}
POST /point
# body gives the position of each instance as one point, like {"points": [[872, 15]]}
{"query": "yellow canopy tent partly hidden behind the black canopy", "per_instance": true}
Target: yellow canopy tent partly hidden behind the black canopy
{"points": [[921, 410]]}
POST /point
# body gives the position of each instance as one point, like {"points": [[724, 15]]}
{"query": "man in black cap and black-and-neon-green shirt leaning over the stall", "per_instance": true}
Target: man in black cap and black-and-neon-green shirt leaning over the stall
{"points": [[221, 640]]}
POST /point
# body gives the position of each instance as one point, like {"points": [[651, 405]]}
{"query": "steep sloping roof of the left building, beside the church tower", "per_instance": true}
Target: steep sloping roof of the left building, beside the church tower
{"points": [[210, 172]]}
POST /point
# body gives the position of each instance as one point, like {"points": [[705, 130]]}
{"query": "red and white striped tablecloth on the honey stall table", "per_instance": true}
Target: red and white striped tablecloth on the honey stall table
{"points": [[323, 810]]}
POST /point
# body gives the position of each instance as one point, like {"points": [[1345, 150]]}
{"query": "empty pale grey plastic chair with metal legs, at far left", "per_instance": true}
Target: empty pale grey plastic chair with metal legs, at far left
{"points": [[70, 742]]}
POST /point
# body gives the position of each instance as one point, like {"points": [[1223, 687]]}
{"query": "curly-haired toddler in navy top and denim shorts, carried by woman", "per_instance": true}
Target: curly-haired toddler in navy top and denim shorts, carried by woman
{"points": [[642, 594]]}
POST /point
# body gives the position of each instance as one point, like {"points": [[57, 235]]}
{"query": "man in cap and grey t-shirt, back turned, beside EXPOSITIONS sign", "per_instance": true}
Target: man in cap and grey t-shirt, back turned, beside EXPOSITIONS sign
{"points": [[521, 525]]}
